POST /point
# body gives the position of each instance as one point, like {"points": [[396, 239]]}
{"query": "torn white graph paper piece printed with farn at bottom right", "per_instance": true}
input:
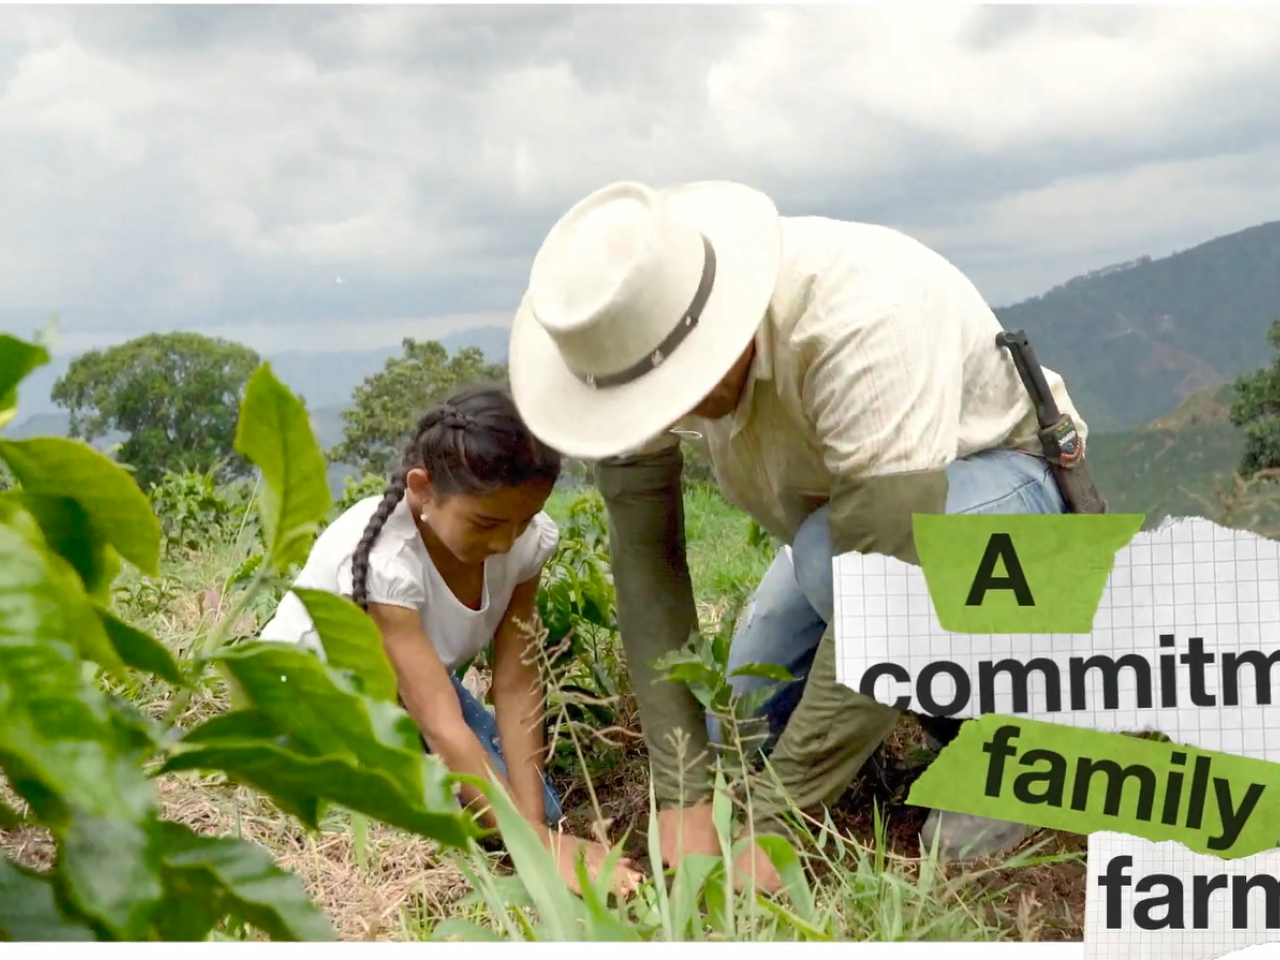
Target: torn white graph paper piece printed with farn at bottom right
{"points": [[1131, 943]]}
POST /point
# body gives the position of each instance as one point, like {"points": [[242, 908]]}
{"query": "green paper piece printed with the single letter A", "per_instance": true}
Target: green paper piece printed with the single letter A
{"points": [[1020, 574]]}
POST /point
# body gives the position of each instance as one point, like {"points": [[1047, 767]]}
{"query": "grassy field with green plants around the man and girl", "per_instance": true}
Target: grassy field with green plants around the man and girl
{"points": [[153, 751]]}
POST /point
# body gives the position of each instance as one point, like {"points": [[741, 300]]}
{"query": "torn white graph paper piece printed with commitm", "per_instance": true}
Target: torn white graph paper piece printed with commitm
{"points": [[1191, 578]]}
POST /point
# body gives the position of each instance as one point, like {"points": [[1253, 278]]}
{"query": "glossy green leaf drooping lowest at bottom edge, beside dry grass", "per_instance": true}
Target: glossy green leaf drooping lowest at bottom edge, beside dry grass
{"points": [[208, 879]]}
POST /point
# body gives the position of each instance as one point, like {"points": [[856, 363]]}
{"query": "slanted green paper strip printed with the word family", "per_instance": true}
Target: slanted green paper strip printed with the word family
{"points": [[1080, 780]]}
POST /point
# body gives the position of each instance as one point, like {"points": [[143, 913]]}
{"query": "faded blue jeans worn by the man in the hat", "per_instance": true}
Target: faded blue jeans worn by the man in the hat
{"points": [[793, 605]]}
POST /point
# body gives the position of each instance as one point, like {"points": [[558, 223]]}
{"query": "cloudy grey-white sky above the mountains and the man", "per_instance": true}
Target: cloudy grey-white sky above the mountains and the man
{"points": [[220, 168]]}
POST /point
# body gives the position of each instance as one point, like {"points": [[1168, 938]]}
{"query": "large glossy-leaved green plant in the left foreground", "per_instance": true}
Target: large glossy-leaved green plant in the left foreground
{"points": [[307, 733]]}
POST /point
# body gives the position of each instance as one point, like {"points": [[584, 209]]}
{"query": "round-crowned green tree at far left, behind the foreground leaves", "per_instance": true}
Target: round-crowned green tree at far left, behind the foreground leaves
{"points": [[175, 397]]}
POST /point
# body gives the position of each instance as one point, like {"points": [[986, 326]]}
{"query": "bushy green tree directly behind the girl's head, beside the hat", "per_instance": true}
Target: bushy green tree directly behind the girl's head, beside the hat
{"points": [[388, 404]]}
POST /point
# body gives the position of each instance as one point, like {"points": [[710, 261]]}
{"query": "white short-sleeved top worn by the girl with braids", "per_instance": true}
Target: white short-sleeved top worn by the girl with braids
{"points": [[401, 574]]}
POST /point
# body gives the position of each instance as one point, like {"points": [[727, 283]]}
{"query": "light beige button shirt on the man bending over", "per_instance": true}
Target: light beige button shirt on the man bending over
{"points": [[877, 356]]}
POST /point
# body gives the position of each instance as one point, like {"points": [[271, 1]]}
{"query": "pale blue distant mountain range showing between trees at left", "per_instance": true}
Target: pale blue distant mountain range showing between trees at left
{"points": [[327, 380]]}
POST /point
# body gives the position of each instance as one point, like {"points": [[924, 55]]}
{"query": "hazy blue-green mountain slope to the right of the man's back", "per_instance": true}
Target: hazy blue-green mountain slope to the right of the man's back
{"points": [[1136, 340]]}
